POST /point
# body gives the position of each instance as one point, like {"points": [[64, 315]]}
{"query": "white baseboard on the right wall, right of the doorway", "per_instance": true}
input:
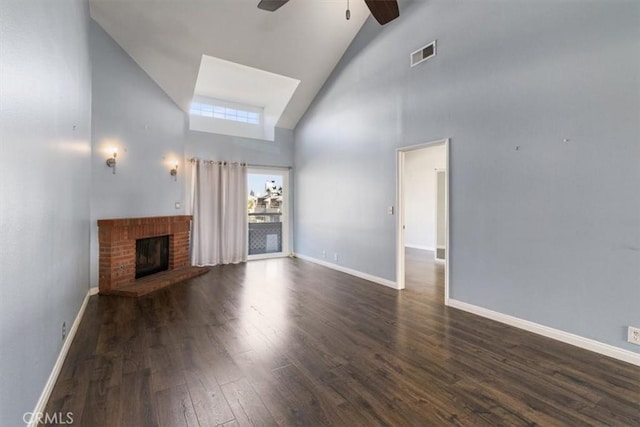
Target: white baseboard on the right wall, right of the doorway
{"points": [[556, 334]]}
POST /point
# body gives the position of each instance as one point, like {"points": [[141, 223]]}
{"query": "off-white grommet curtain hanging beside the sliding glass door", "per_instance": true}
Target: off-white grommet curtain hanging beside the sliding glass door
{"points": [[219, 207]]}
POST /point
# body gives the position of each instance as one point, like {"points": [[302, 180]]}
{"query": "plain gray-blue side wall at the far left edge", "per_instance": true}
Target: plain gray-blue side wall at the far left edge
{"points": [[45, 130]]}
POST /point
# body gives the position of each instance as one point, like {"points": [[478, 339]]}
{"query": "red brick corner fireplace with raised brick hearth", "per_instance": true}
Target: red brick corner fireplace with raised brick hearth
{"points": [[117, 270]]}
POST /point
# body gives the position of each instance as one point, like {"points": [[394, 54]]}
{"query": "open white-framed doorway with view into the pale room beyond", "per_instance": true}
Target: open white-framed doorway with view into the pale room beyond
{"points": [[423, 167]]}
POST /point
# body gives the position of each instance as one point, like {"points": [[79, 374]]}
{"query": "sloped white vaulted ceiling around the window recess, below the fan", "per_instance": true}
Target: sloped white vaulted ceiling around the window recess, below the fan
{"points": [[303, 40]]}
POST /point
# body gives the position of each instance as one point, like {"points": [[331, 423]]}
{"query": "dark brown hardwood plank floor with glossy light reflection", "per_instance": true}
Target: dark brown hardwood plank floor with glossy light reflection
{"points": [[288, 342]]}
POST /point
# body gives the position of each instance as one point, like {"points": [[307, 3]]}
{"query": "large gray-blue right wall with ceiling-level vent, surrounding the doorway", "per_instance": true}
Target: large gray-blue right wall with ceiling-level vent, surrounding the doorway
{"points": [[549, 233]]}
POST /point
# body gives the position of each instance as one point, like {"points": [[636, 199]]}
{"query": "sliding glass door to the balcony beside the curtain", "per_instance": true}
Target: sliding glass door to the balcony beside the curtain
{"points": [[268, 212]]}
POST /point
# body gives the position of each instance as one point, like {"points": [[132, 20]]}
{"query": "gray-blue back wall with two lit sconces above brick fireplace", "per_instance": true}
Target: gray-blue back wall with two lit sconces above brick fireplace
{"points": [[132, 112]]}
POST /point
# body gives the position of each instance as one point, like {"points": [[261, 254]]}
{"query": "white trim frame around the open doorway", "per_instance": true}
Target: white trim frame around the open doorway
{"points": [[400, 220]]}
